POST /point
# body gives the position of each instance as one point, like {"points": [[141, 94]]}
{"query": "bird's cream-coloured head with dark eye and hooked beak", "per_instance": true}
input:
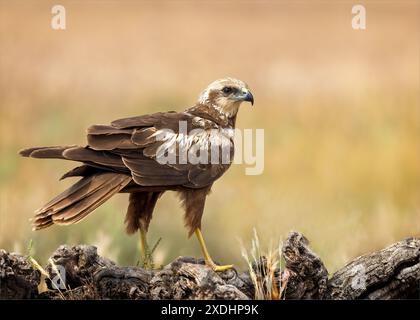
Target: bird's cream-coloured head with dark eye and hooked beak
{"points": [[226, 95]]}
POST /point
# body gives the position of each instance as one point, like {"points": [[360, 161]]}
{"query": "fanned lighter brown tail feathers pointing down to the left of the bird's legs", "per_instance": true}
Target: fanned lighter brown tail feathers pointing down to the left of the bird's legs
{"points": [[80, 199]]}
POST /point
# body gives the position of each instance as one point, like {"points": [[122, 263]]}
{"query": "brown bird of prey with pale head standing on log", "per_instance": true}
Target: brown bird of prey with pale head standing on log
{"points": [[126, 156]]}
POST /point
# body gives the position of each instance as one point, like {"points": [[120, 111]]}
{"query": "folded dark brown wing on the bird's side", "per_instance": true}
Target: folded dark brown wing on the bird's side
{"points": [[133, 143]]}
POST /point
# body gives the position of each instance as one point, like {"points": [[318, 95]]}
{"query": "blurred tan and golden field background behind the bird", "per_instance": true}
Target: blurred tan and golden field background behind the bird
{"points": [[340, 109]]}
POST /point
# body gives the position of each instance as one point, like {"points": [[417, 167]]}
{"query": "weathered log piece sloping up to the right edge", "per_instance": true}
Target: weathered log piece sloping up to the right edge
{"points": [[391, 273]]}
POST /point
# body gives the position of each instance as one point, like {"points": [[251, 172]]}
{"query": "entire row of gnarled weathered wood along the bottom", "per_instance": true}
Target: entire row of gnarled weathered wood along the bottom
{"points": [[391, 273]]}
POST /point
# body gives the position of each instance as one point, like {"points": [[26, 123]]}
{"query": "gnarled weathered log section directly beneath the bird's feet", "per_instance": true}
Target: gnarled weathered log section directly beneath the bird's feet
{"points": [[184, 278]]}
